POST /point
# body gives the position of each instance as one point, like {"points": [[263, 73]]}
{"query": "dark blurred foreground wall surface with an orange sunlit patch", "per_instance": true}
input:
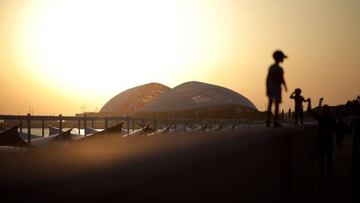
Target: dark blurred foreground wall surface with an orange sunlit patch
{"points": [[248, 165]]}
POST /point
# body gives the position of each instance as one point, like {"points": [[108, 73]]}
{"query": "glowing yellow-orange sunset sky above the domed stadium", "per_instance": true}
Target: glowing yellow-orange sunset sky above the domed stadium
{"points": [[57, 56]]}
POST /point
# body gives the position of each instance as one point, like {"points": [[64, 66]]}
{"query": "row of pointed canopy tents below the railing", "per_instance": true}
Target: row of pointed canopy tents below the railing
{"points": [[13, 138]]}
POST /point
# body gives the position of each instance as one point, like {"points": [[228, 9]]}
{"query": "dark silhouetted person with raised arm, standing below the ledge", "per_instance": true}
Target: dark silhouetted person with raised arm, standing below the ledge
{"points": [[324, 142]]}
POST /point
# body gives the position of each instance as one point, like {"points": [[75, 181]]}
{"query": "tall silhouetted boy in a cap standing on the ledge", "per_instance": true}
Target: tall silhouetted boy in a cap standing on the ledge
{"points": [[274, 80]]}
